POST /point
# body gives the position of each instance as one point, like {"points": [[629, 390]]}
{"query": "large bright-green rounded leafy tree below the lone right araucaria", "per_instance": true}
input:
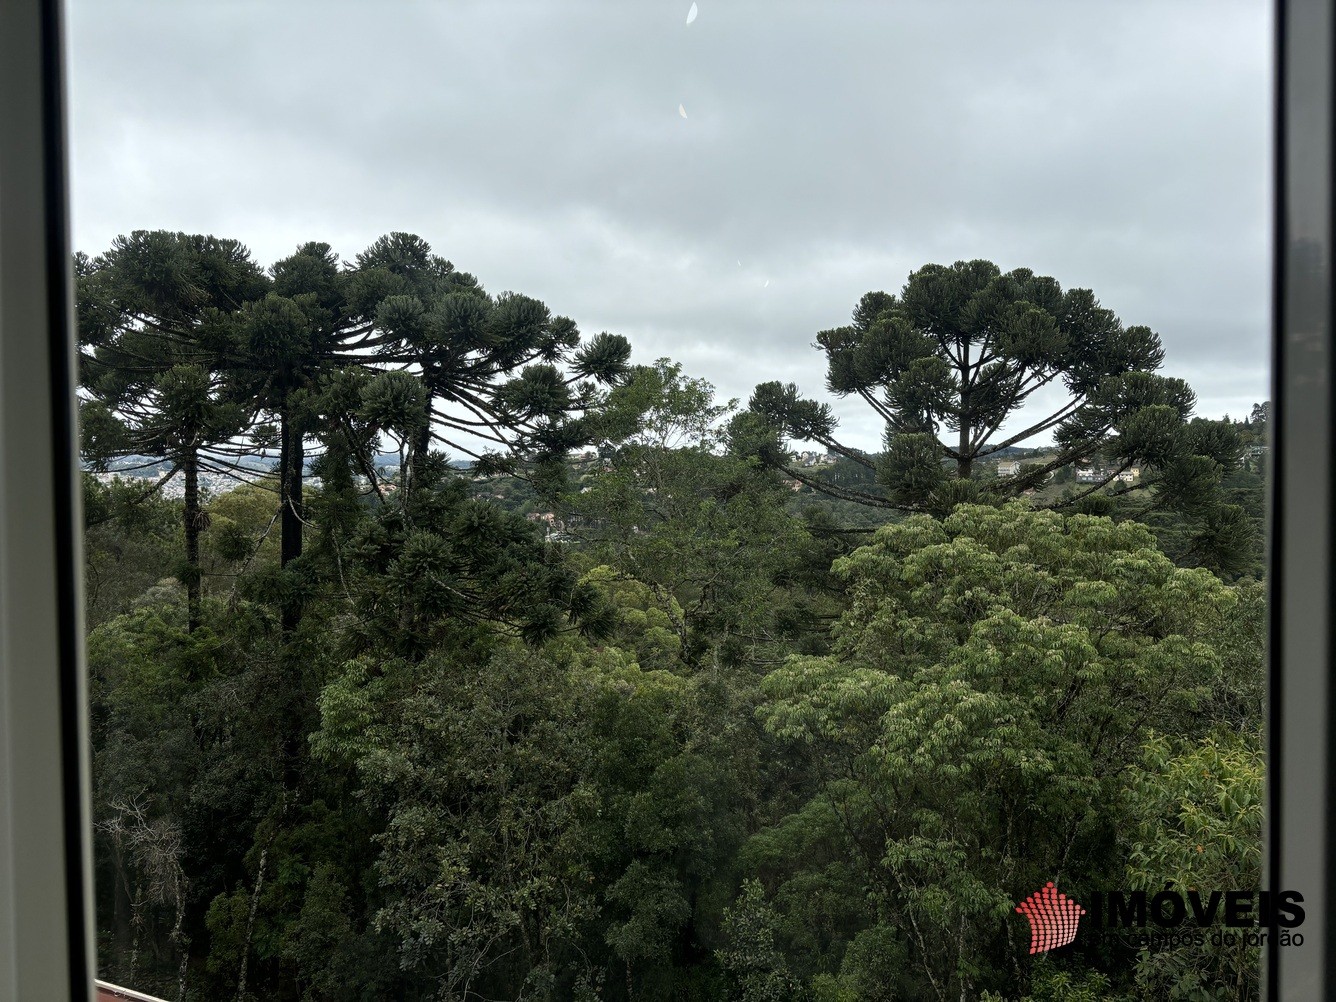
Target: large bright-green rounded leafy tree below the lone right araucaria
{"points": [[984, 705]]}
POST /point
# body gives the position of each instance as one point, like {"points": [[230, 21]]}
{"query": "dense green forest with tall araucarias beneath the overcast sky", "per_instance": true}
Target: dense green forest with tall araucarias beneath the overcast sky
{"points": [[504, 667]]}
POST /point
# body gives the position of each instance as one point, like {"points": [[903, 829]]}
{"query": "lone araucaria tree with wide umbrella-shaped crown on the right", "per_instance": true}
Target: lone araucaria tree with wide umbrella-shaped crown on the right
{"points": [[953, 365]]}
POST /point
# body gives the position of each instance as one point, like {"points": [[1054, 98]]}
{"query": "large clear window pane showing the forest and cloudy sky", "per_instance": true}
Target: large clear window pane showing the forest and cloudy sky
{"points": [[697, 500]]}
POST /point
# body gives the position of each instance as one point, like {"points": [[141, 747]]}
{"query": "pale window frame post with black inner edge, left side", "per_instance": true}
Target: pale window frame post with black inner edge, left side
{"points": [[46, 873]]}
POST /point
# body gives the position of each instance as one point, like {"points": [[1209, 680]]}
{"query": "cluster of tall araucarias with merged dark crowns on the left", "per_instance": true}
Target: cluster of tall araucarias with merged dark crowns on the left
{"points": [[316, 353]]}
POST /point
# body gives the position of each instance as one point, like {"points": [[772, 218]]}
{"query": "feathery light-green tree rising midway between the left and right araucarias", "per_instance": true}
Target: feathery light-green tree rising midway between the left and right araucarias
{"points": [[677, 507]]}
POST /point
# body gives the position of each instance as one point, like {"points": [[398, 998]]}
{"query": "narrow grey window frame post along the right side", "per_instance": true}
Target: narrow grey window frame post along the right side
{"points": [[1301, 749]]}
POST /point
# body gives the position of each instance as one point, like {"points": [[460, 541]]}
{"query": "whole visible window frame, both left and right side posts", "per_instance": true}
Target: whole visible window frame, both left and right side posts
{"points": [[46, 886]]}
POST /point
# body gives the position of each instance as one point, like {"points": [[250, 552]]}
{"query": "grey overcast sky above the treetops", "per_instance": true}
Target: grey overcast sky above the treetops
{"points": [[722, 190]]}
